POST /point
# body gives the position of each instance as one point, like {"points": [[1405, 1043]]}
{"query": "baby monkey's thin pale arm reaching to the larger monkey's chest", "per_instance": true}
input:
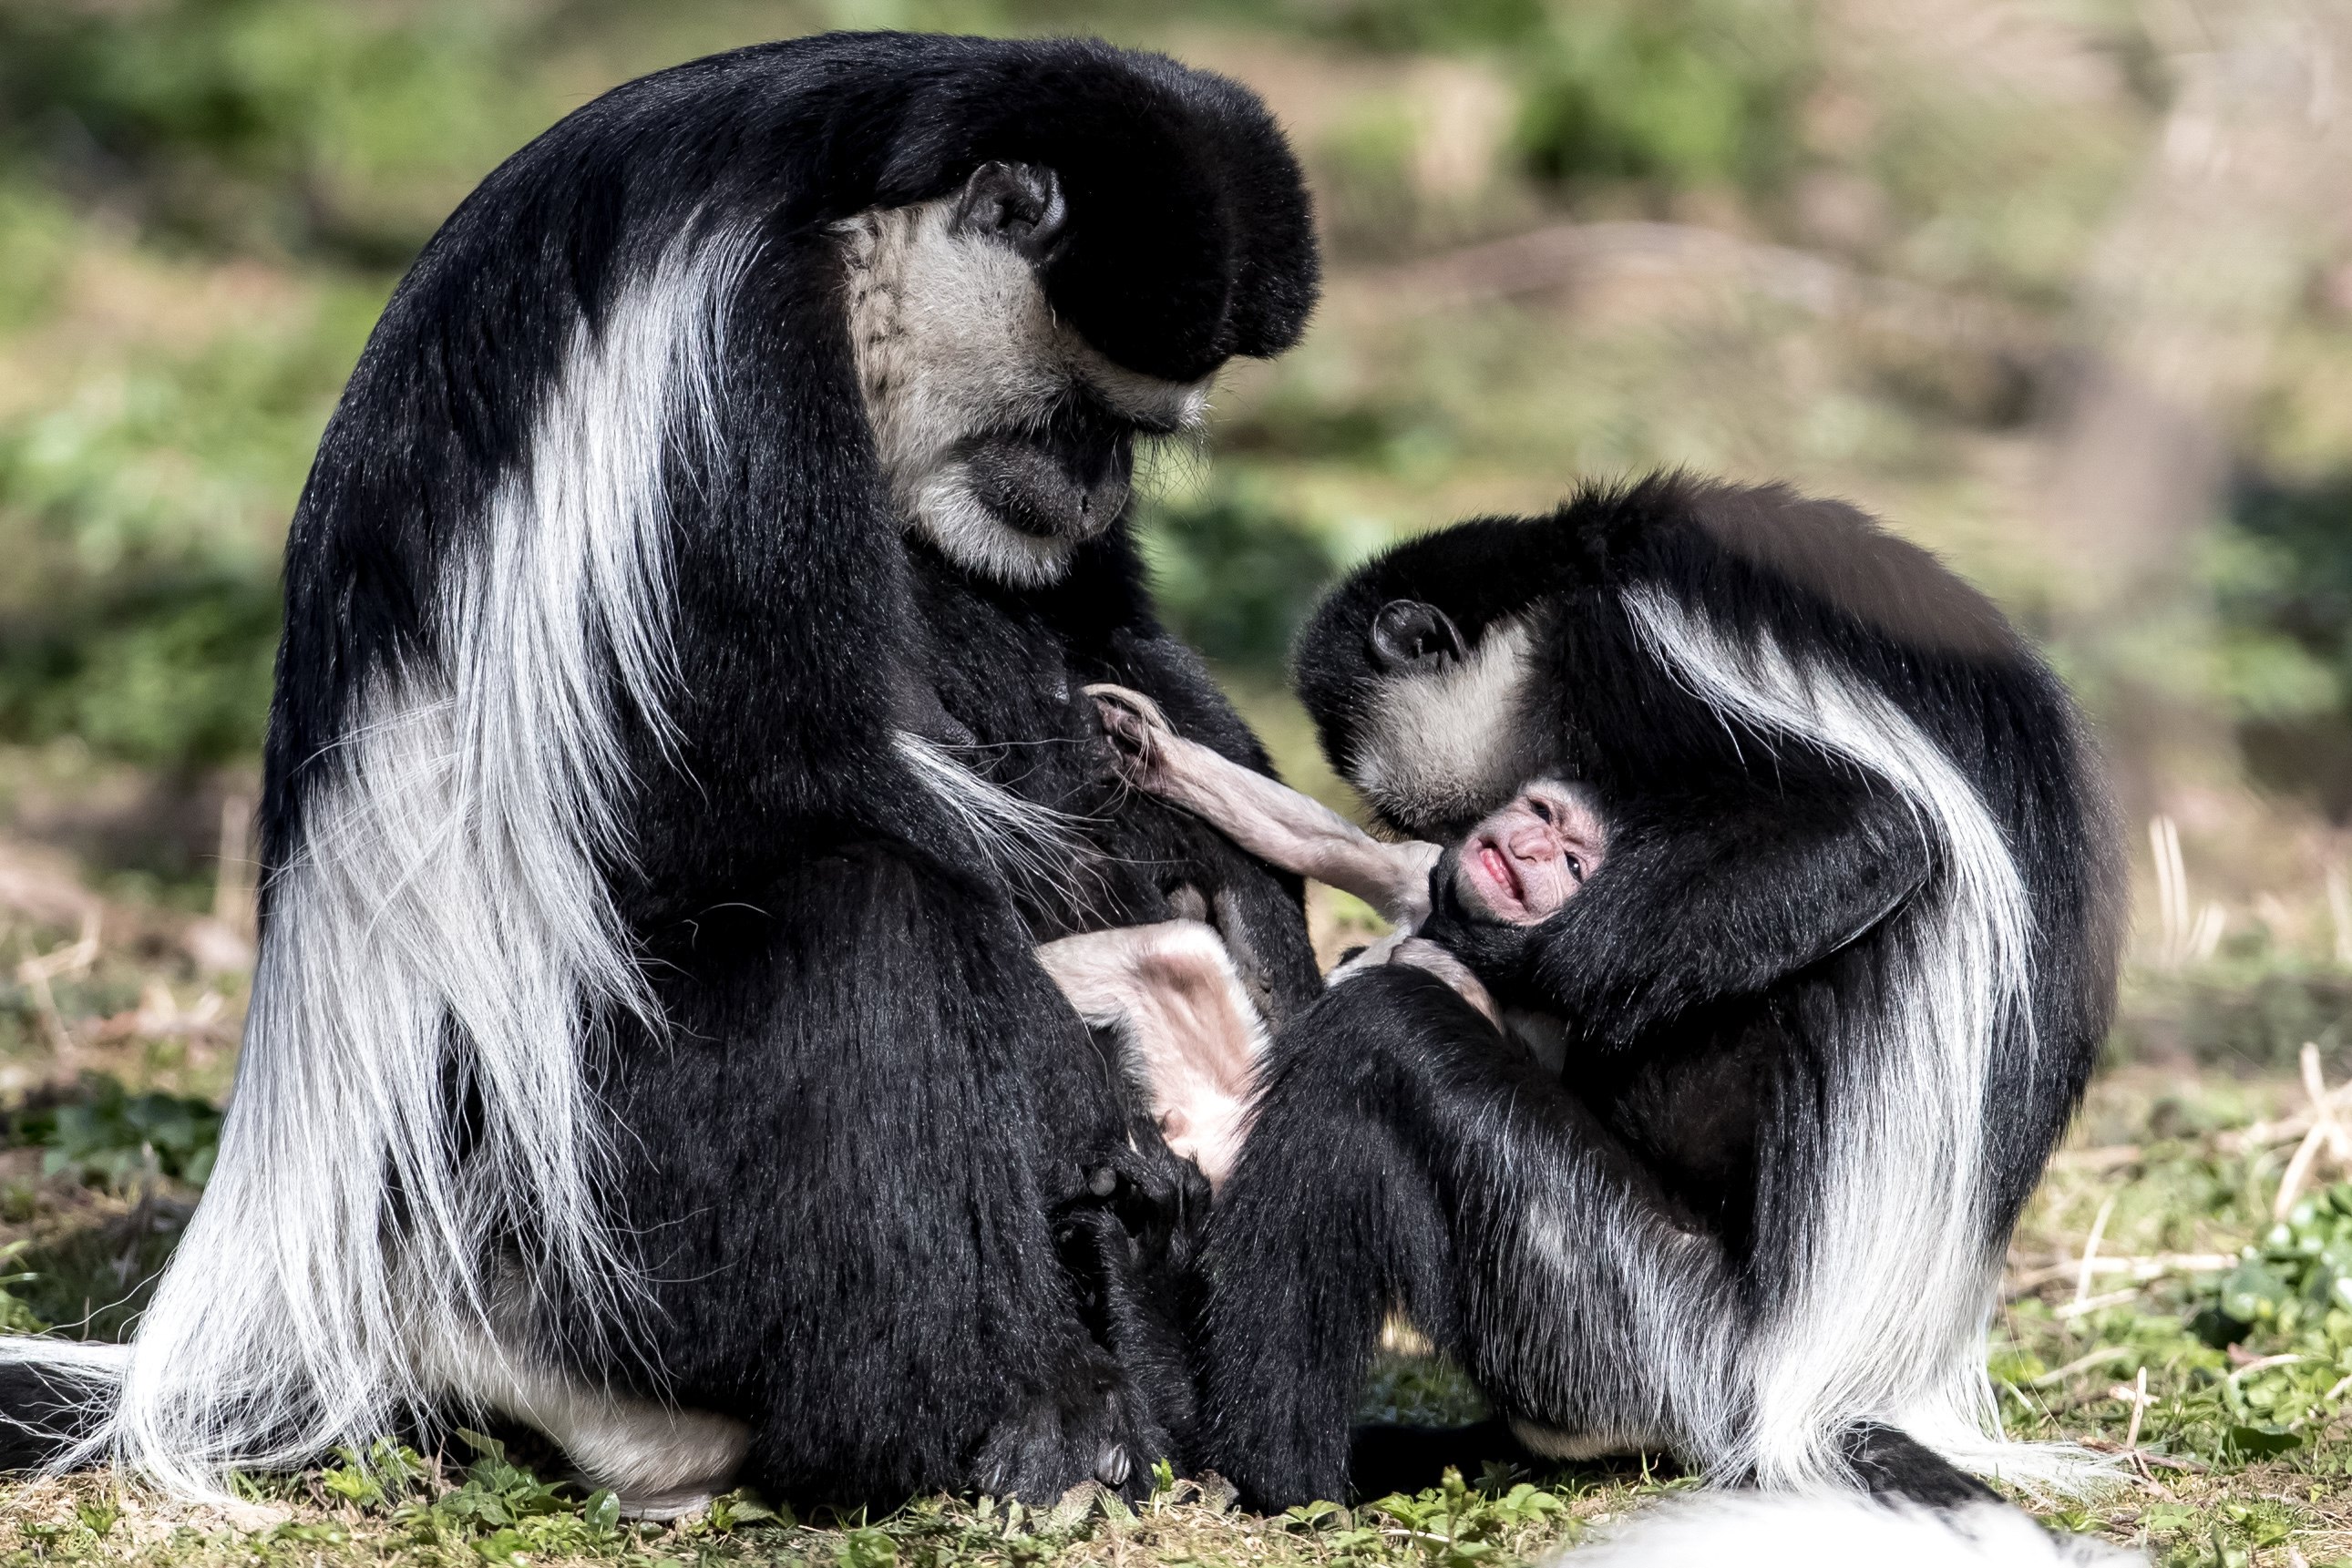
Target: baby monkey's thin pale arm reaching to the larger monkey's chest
{"points": [[1267, 819]]}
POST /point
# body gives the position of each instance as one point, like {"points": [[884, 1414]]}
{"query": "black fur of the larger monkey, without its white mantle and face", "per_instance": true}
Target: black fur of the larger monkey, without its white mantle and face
{"points": [[888, 1202]]}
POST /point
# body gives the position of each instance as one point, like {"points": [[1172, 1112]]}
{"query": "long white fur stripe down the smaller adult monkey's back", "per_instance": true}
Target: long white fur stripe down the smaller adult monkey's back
{"points": [[1895, 1280]]}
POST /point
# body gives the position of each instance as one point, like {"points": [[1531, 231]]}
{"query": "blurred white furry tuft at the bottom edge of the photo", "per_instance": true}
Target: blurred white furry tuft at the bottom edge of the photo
{"points": [[1838, 1532]]}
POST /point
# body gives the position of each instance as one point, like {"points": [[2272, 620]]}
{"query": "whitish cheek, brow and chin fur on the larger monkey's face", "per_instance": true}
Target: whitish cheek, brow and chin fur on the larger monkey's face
{"points": [[956, 337]]}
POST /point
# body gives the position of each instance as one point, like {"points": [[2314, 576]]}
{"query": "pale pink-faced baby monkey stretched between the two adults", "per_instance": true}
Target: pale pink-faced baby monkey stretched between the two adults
{"points": [[1172, 993]]}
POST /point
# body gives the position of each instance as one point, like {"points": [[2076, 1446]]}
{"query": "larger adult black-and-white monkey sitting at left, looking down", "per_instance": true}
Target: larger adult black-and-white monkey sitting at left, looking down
{"points": [[681, 746]]}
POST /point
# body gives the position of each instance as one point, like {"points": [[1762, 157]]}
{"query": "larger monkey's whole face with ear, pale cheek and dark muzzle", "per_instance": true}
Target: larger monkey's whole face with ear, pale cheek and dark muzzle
{"points": [[1003, 434]]}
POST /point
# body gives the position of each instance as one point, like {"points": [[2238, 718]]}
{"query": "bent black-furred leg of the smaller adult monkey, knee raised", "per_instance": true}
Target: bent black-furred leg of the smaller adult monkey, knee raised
{"points": [[1403, 1158]]}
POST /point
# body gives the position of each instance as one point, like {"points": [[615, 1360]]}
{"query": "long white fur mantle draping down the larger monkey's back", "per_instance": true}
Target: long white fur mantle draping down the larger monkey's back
{"points": [[443, 913]]}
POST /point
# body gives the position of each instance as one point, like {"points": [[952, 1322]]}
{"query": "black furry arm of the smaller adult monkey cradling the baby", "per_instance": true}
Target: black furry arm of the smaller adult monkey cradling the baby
{"points": [[1706, 904]]}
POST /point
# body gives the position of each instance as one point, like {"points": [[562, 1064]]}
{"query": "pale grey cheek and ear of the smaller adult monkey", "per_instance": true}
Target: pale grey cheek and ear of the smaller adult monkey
{"points": [[1443, 730]]}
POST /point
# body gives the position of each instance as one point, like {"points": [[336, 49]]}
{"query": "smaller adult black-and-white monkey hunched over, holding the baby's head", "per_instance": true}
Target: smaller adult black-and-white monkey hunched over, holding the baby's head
{"points": [[1829, 1003]]}
